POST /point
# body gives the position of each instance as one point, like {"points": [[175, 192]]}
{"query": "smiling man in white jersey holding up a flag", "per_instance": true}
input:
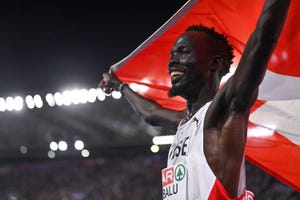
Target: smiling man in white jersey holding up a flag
{"points": [[206, 160]]}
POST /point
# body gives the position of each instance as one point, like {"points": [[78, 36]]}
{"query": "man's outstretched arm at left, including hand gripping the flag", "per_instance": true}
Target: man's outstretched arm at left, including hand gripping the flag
{"points": [[149, 110]]}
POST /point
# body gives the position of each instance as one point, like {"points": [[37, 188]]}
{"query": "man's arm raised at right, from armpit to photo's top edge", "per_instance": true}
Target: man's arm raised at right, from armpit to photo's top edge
{"points": [[242, 89]]}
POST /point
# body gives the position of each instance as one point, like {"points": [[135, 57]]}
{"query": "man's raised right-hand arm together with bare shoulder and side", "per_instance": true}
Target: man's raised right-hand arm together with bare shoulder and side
{"points": [[227, 117]]}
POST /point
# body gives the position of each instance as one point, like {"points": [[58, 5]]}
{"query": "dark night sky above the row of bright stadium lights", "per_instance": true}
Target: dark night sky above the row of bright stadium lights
{"points": [[47, 46]]}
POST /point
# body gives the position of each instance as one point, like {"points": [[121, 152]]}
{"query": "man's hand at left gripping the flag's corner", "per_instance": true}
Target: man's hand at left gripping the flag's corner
{"points": [[110, 83]]}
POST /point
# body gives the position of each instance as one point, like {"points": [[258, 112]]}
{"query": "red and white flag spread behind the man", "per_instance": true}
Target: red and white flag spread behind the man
{"points": [[274, 125]]}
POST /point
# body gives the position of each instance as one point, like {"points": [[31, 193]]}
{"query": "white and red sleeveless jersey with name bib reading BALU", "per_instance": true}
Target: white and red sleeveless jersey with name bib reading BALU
{"points": [[188, 175]]}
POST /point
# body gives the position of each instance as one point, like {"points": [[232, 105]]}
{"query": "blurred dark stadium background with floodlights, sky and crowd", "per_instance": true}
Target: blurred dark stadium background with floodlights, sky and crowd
{"points": [[61, 138]]}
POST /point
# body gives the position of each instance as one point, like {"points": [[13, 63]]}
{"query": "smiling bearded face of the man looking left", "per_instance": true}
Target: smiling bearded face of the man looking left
{"points": [[189, 63]]}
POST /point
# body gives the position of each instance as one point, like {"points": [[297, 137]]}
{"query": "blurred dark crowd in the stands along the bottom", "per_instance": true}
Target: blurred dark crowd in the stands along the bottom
{"points": [[126, 178]]}
